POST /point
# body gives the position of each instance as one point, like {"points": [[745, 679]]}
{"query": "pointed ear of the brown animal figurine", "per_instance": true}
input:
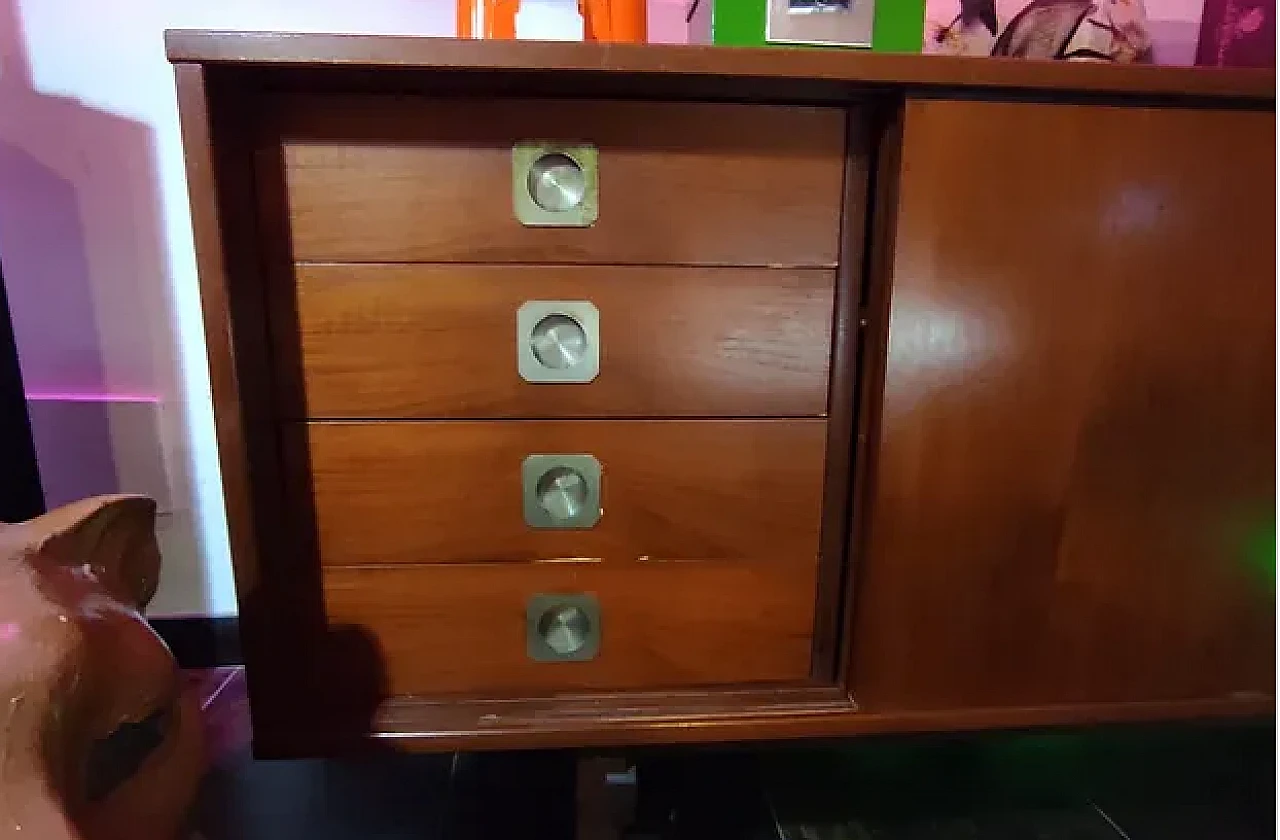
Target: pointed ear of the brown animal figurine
{"points": [[115, 536]]}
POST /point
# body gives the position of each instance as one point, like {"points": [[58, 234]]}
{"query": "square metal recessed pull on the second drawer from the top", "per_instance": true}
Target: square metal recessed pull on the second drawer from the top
{"points": [[559, 341]]}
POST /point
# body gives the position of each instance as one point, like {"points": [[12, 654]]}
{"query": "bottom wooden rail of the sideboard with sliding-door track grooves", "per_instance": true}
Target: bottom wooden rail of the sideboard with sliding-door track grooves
{"points": [[642, 720]]}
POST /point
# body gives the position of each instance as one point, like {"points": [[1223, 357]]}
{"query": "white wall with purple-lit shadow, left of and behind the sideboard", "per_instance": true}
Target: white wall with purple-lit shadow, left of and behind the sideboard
{"points": [[94, 199]]}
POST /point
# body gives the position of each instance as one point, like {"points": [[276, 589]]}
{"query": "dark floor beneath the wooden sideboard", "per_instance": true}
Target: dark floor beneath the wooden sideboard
{"points": [[1137, 783]]}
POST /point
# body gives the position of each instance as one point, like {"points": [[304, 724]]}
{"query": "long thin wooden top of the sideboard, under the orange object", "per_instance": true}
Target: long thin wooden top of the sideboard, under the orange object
{"points": [[842, 69]]}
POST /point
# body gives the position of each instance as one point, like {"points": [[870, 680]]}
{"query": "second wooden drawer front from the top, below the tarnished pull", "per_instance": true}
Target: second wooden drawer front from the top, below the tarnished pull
{"points": [[418, 341]]}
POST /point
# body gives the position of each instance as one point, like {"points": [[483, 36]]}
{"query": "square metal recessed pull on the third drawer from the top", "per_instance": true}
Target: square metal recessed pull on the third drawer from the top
{"points": [[561, 491]]}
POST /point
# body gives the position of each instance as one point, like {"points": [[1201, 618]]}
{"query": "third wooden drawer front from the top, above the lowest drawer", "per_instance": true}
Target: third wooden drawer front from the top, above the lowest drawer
{"points": [[450, 492]]}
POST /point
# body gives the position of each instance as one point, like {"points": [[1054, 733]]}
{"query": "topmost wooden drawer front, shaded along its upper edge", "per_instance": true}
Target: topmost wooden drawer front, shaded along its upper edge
{"points": [[420, 180]]}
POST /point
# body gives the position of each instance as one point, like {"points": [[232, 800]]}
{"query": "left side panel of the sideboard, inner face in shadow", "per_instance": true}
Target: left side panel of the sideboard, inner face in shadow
{"points": [[277, 591]]}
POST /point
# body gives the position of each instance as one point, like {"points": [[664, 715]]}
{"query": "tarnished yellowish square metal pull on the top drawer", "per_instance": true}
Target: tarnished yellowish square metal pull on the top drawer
{"points": [[555, 186]]}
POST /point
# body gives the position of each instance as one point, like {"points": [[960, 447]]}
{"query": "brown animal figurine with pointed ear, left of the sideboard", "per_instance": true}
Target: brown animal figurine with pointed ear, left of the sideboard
{"points": [[98, 741]]}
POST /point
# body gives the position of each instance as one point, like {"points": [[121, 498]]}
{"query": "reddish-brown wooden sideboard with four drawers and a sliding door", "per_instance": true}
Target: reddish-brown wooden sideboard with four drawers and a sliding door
{"points": [[580, 395]]}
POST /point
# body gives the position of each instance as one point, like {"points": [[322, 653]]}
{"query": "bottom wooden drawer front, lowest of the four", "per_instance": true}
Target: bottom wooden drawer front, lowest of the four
{"points": [[465, 629]]}
